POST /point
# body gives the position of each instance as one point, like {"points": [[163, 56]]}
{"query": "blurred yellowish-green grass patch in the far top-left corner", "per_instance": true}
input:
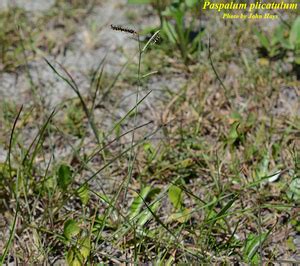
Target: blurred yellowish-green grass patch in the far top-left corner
{"points": [[37, 34]]}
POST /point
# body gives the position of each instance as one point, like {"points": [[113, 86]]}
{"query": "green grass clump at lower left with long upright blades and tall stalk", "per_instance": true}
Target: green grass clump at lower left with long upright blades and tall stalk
{"points": [[50, 189]]}
